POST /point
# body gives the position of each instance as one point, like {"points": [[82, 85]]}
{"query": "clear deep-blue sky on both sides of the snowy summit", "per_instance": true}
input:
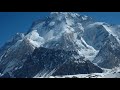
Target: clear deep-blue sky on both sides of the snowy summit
{"points": [[13, 22]]}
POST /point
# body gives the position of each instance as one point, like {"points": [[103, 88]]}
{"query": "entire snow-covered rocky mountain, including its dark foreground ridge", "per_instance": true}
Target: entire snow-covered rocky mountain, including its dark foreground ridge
{"points": [[62, 44]]}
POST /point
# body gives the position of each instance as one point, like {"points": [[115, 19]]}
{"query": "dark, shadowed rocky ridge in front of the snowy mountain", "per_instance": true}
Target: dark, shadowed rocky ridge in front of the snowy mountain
{"points": [[46, 62]]}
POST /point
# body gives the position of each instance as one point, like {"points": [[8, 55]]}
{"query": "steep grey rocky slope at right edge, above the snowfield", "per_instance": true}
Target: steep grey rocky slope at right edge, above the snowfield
{"points": [[108, 56]]}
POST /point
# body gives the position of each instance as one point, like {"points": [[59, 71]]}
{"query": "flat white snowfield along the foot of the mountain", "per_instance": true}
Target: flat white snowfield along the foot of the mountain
{"points": [[108, 73]]}
